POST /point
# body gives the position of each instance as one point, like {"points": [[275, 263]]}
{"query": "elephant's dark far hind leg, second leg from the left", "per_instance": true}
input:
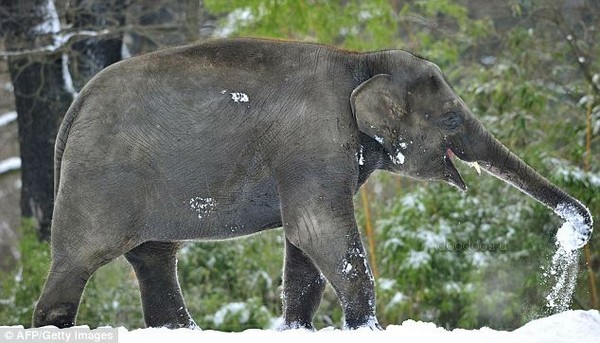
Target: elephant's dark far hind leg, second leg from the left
{"points": [[155, 265]]}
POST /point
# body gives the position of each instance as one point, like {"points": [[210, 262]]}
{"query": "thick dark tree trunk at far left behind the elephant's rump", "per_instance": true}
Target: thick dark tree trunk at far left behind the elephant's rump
{"points": [[41, 97]]}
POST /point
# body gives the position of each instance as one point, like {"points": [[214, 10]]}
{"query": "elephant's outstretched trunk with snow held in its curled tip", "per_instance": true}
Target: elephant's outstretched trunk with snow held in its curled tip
{"points": [[497, 159]]}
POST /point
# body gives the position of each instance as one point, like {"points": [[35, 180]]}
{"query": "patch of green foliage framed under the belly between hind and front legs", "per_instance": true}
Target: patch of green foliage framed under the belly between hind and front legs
{"points": [[233, 285]]}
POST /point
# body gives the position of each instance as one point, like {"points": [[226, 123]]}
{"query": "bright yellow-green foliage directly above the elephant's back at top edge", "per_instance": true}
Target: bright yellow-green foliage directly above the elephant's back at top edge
{"points": [[354, 24]]}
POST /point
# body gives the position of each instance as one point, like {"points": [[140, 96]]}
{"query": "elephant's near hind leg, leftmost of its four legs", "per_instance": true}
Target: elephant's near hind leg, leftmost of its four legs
{"points": [[81, 243]]}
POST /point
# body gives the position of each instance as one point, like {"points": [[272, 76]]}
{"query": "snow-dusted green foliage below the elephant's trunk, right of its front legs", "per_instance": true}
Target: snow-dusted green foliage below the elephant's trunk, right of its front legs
{"points": [[449, 257]]}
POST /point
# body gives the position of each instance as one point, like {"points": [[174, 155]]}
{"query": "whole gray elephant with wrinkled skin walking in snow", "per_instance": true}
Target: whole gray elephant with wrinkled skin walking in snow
{"points": [[231, 137]]}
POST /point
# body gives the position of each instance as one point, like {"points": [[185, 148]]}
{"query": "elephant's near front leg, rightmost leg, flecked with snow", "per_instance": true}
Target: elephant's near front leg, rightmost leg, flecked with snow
{"points": [[322, 226]]}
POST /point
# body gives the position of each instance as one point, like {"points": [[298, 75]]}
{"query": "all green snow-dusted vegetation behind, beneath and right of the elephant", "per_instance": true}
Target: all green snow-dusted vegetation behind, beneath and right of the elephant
{"points": [[526, 69]]}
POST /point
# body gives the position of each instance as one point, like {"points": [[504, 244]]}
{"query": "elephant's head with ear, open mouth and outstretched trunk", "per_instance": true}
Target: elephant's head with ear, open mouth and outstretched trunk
{"points": [[423, 125]]}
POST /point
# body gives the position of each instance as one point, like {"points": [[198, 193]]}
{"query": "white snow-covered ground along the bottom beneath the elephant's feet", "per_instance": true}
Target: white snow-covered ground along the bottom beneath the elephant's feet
{"points": [[570, 326]]}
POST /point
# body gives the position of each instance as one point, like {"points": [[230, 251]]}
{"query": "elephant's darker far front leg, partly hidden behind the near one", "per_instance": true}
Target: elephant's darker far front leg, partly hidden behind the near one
{"points": [[303, 286]]}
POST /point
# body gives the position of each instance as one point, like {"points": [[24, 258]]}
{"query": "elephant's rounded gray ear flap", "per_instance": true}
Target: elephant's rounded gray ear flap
{"points": [[377, 106]]}
